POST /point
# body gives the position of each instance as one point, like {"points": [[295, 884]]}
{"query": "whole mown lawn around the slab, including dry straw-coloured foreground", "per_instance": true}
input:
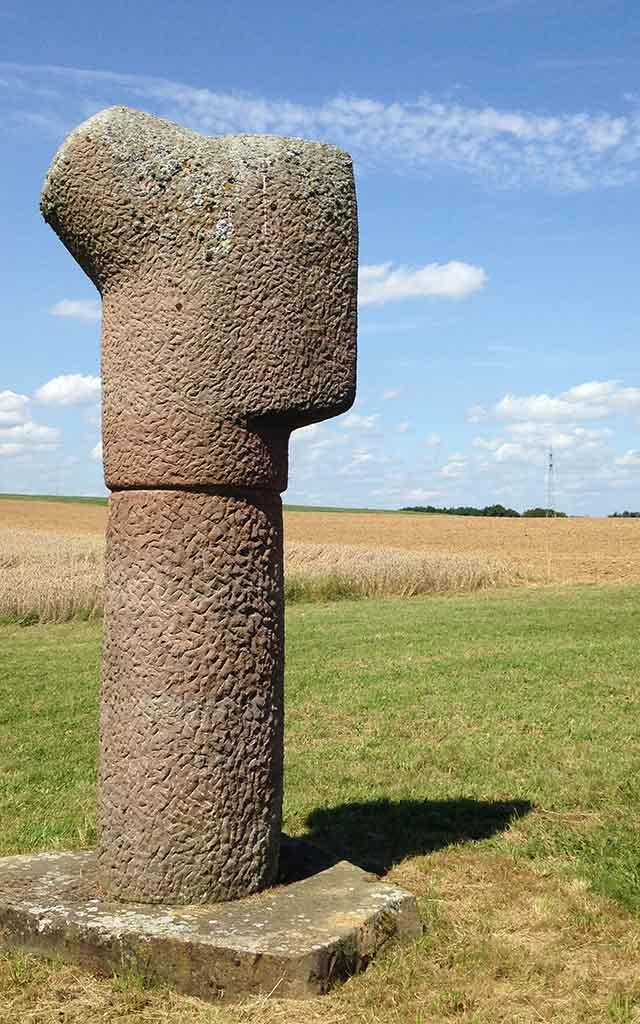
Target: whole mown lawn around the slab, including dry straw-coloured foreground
{"points": [[484, 750]]}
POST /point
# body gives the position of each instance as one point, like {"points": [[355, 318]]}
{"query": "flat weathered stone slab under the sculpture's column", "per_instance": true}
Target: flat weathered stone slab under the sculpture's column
{"points": [[295, 941]]}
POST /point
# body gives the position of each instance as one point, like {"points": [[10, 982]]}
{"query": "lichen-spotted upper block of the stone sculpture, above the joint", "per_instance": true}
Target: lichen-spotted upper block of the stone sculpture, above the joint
{"points": [[228, 268]]}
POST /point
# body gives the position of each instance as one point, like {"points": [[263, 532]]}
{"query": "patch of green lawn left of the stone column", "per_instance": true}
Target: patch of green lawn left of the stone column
{"points": [[49, 743]]}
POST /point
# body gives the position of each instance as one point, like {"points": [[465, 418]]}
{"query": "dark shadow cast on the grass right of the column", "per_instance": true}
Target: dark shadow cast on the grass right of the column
{"points": [[378, 834]]}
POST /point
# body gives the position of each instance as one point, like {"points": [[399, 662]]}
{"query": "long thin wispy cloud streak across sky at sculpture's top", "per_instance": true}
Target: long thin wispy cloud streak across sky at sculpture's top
{"points": [[571, 150]]}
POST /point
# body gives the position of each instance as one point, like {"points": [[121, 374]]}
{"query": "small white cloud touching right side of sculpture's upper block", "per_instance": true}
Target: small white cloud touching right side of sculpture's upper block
{"points": [[385, 283]]}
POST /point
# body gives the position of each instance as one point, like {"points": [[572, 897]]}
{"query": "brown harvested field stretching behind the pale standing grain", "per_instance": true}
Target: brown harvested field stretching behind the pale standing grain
{"points": [[559, 550]]}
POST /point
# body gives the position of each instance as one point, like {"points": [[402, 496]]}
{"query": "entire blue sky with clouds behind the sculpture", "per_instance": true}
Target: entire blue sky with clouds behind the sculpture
{"points": [[497, 147]]}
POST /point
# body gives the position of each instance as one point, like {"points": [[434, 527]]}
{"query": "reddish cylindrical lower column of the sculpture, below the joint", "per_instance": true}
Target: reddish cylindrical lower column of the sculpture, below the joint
{"points": [[192, 724]]}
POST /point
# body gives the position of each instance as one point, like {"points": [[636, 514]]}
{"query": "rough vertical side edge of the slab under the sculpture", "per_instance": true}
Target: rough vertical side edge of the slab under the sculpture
{"points": [[214, 972]]}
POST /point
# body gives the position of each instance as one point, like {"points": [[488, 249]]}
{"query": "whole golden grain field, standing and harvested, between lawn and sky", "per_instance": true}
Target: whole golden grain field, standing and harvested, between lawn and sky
{"points": [[52, 556]]}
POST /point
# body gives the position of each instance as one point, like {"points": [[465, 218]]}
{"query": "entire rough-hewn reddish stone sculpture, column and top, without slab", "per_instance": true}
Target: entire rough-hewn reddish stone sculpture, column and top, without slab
{"points": [[228, 270]]}
